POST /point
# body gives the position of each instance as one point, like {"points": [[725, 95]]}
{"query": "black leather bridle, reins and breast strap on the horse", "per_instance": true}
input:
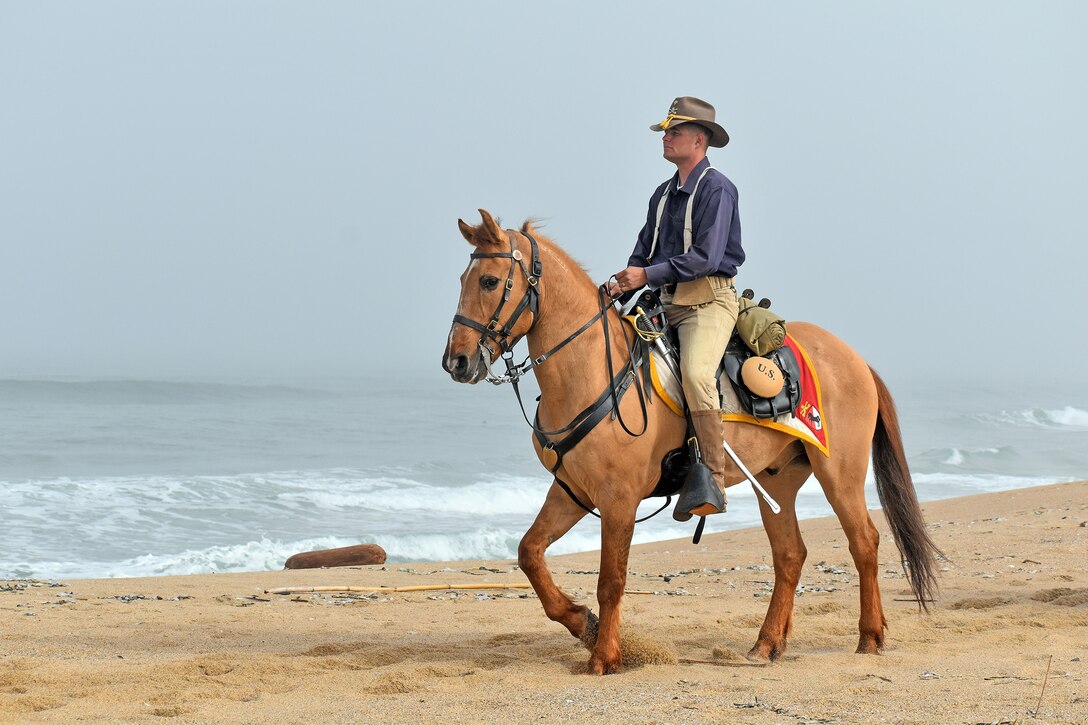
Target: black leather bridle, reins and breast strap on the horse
{"points": [[607, 404]]}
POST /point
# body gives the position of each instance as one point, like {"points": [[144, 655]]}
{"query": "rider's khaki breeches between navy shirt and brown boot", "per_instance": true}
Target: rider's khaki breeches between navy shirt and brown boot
{"points": [[704, 333]]}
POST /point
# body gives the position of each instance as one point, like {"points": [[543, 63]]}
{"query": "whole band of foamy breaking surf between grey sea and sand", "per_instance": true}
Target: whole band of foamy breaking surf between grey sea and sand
{"points": [[157, 526]]}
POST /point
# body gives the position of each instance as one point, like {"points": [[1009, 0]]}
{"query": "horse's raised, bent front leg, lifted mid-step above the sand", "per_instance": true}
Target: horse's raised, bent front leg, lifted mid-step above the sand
{"points": [[557, 518]]}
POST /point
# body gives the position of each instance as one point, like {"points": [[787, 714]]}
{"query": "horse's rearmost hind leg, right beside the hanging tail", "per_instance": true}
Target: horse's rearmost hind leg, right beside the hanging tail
{"points": [[844, 483]]}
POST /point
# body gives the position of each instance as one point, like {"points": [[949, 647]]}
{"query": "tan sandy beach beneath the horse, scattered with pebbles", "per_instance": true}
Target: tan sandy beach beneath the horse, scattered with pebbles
{"points": [[1010, 635]]}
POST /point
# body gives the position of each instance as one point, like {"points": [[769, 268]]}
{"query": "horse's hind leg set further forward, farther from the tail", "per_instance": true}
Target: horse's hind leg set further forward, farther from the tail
{"points": [[788, 551]]}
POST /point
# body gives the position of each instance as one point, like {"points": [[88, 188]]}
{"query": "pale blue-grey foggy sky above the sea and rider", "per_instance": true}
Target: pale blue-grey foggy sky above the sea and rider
{"points": [[268, 189]]}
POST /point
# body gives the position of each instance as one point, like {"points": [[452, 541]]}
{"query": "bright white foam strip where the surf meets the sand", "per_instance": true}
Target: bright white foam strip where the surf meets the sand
{"points": [[417, 538]]}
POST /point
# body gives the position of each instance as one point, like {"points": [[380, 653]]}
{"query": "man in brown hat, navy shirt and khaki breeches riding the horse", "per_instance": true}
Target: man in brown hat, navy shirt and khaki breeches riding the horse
{"points": [[689, 250]]}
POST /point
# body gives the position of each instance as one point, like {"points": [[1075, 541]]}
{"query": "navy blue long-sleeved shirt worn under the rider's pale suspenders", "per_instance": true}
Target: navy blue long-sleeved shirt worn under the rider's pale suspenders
{"points": [[716, 231]]}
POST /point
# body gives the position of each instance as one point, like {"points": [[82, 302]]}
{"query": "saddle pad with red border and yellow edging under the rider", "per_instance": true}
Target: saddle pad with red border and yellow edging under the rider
{"points": [[807, 422]]}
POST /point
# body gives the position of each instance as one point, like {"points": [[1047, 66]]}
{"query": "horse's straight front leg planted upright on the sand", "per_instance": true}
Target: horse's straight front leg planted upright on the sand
{"points": [[617, 527]]}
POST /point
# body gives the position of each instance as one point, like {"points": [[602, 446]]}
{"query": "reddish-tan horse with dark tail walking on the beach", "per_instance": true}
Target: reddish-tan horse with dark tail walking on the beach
{"points": [[520, 285]]}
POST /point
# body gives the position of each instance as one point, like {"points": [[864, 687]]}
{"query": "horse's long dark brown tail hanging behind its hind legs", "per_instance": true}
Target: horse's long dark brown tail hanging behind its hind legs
{"points": [[918, 551]]}
